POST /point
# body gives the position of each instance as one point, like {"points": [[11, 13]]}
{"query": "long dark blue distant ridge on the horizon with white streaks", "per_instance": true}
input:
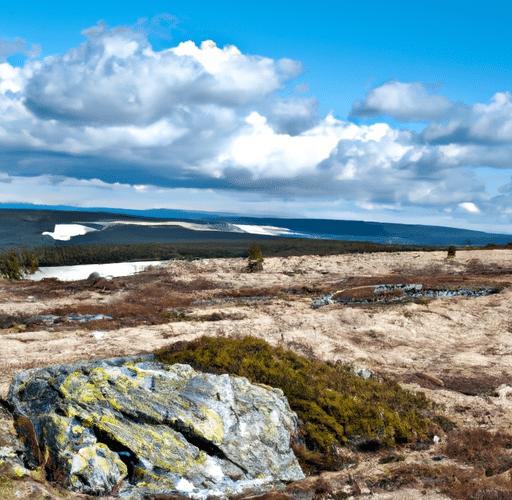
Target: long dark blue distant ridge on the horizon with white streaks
{"points": [[23, 225]]}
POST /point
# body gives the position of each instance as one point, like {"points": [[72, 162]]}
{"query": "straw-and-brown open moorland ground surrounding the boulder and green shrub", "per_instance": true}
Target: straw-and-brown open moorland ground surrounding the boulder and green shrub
{"points": [[457, 350]]}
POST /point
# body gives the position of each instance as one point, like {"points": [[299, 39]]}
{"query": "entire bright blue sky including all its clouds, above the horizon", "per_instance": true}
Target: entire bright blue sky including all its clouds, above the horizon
{"points": [[387, 111]]}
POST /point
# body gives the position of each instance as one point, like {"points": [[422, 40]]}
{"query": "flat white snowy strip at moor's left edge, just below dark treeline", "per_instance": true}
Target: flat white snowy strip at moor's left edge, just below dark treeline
{"points": [[70, 273]]}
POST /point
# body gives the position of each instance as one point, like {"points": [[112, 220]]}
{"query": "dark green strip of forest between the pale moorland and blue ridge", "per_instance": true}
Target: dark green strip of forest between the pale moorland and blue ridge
{"points": [[68, 255]]}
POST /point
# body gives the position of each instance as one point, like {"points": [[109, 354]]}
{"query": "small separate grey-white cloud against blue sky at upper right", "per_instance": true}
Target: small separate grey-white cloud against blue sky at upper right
{"points": [[403, 102]]}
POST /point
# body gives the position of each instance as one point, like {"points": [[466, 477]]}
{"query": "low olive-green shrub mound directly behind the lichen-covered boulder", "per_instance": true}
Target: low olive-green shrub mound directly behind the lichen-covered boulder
{"points": [[335, 405]]}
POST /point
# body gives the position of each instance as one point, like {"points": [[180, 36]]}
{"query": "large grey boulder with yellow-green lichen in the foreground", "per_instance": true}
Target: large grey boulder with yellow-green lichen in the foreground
{"points": [[133, 427]]}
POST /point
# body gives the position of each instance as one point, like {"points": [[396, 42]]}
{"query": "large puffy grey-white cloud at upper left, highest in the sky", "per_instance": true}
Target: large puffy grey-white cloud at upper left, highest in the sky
{"points": [[115, 77]]}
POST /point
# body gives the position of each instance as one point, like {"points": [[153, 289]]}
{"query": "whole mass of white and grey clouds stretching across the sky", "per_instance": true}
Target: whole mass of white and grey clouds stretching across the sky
{"points": [[126, 125]]}
